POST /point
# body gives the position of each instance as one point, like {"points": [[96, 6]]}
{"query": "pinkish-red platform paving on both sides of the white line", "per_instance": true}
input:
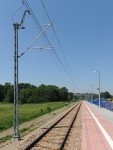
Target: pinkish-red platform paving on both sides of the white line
{"points": [[92, 137]]}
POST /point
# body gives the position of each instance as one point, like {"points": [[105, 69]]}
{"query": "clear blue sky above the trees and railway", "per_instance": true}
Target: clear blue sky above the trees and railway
{"points": [[85, 31]]}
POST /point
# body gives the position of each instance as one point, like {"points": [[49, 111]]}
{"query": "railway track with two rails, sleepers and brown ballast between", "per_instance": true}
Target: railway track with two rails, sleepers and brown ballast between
{"points": [[55, 137]]}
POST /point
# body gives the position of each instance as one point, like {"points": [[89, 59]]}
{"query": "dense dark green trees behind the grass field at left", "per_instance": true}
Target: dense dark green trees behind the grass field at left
{"points": [[31, 94]]}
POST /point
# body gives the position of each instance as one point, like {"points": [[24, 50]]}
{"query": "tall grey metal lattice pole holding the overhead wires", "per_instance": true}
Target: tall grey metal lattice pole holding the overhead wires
{"points": [[16, 26]]}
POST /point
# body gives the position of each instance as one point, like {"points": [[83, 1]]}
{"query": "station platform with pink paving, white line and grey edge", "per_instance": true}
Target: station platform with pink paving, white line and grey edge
{"points": [[97, 128]]}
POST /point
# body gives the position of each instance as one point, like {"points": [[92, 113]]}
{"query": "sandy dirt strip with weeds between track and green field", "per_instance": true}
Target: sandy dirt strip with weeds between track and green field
{"points": [[37, 125]]}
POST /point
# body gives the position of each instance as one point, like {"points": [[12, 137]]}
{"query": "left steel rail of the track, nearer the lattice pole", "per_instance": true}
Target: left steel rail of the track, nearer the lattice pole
{"points": [[43, 134]]}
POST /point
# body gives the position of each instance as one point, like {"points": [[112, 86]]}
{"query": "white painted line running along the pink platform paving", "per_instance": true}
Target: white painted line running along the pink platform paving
{"points": [[107, 137]]}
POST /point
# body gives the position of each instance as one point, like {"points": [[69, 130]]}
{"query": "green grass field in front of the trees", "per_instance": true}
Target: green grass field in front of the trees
{"points": [[26, 112]]}
